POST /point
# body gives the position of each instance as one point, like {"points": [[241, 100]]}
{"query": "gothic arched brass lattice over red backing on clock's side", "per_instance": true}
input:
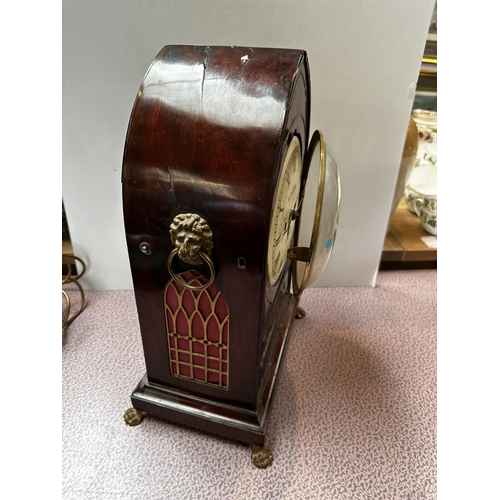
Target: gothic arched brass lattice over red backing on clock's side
{"points": [[198, 331]]}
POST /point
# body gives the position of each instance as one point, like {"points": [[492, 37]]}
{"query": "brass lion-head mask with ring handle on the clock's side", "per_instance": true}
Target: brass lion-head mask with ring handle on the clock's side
{"points": [[193, 243]]}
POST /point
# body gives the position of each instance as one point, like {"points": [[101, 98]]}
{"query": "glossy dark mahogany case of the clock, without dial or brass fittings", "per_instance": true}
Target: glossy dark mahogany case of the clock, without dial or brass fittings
{"points": [[208, 134]]}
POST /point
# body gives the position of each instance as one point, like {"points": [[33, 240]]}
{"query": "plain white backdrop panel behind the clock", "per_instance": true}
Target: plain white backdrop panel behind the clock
{"points": [[364, 57]]}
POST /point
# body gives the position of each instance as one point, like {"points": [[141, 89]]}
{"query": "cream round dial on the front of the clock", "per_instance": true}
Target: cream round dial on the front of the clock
{"points": [[285, 211]]}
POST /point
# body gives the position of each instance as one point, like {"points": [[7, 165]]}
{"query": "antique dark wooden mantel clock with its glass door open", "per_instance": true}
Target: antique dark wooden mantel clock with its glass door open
{"points": [[218, 178]]}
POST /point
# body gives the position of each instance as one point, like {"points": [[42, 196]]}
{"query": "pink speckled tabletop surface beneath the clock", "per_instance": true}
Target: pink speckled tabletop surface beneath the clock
{"points": [[353, 417]]}
